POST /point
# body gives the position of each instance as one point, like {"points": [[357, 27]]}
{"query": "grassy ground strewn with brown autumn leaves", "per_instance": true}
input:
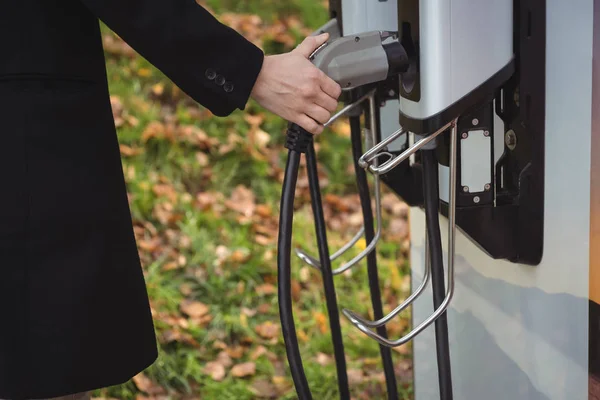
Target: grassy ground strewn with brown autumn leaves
{"points": [[204, 193]]}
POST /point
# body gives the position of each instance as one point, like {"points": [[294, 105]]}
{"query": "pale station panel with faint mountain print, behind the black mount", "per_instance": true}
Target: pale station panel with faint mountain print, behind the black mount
{"points": [[519, 331]]}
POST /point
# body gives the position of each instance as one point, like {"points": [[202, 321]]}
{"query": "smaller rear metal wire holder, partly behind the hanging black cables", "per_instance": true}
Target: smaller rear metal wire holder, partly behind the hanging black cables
{"points": [[369, 141]]}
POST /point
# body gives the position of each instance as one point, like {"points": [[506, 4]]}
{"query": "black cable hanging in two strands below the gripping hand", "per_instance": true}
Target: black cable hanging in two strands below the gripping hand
{"points": [[300, 141]]}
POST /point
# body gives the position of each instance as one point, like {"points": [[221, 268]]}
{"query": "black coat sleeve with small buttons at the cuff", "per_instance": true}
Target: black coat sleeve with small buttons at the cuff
{"points": [[209, 61]]}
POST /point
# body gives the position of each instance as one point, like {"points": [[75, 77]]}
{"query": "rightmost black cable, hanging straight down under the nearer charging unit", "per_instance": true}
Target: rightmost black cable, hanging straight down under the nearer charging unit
{"points": [[432, 200]]}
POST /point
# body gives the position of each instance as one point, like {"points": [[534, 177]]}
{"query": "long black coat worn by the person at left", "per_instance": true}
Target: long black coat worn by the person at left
{"points": [[74, 313]]}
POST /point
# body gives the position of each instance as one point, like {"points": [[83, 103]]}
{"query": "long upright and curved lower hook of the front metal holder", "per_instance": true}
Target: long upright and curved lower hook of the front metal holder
{"points": [[353, 317]]}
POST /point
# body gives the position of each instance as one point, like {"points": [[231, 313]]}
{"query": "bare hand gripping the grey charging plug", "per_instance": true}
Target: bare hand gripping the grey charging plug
{"points": [[290, 86]]}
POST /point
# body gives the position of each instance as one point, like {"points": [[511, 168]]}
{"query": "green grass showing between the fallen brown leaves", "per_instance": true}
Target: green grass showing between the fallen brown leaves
{"points": [[184, 264]]}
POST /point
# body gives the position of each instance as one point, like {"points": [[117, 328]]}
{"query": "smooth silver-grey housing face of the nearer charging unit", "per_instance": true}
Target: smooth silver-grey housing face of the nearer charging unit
{"points": [[462, 43]]}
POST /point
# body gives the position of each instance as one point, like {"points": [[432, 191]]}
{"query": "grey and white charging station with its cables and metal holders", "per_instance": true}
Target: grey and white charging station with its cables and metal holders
{"points": [[484, 116]]}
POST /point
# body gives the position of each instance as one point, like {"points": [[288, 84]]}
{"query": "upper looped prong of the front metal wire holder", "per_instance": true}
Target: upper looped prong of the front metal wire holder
{"points": [[368, 159]]}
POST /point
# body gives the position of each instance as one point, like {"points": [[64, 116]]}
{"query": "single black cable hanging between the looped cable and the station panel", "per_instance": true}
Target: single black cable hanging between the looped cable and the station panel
{"points": [[365, 201]]}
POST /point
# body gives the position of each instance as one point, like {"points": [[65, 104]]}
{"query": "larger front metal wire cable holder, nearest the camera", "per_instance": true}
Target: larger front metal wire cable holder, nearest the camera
{"points": [[353, 317]]}
